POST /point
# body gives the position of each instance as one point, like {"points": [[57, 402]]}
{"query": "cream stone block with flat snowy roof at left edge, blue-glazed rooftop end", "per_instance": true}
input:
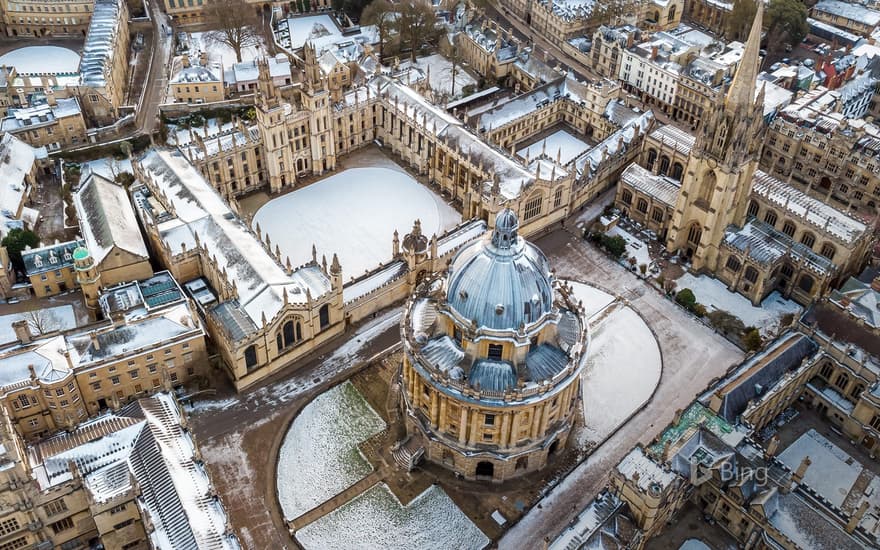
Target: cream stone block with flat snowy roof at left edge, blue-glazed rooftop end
{"points": [[150, 340]]}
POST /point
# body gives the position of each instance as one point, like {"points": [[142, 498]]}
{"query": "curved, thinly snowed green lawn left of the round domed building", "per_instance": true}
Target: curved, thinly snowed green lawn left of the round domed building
{"points": [[319, 457]]}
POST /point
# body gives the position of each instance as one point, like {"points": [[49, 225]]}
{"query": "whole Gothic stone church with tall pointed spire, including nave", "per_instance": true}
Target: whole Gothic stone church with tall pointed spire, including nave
{"points": [[728, 218]]}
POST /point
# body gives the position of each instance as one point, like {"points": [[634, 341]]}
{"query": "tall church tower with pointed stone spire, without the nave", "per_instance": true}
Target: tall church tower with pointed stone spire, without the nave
{"points": [[718, 178]]}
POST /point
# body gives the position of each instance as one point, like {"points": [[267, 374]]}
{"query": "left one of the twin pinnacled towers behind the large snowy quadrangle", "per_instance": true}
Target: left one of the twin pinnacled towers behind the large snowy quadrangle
{"points": [[271, 114]]}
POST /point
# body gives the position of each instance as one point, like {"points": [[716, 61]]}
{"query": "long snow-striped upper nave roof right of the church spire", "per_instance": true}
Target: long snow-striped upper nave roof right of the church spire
{"points": [[796, 203]]}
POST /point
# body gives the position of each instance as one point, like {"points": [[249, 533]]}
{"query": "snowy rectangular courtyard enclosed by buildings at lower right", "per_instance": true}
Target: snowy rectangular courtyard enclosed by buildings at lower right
{"points": [[832, 472]]}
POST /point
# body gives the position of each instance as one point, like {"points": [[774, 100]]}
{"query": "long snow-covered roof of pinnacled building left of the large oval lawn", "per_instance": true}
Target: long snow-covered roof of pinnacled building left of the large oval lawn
{"points": [[197, 212]]}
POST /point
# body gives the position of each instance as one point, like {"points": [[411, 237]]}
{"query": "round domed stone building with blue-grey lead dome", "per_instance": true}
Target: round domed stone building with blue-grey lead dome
{"points": [[493, 356]]}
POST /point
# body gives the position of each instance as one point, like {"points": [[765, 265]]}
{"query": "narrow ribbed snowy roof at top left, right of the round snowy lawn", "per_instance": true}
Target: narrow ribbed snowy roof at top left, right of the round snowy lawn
{"points": [[97, 57]]}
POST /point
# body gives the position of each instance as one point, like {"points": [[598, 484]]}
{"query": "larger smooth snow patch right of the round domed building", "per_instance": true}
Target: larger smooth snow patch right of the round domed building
{"points": [[622, 372]]}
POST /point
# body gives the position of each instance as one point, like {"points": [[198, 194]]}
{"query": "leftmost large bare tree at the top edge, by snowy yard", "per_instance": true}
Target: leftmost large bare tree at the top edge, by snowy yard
{"points": [[234, 23]]}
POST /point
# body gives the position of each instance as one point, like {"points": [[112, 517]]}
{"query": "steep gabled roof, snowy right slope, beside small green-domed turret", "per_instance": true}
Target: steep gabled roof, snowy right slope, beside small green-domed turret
{"points": [[107, 219]]}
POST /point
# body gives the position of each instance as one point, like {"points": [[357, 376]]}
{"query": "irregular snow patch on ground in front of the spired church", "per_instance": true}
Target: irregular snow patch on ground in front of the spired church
{"points": [[713, 294]]}
